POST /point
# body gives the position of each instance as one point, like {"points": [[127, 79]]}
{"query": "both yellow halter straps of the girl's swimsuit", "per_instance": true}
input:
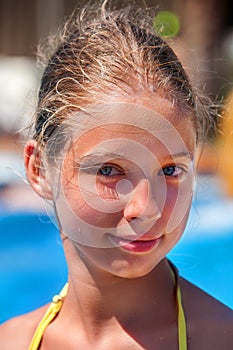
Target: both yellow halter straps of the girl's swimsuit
{"points": [[56, 305]]}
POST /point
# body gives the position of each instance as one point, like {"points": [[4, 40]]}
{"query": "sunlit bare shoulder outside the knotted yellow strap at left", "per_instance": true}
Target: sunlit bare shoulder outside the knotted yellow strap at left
{"points": [[17, 333]]}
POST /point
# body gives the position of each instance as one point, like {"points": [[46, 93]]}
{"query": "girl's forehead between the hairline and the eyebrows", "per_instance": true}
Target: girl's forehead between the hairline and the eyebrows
{"points": [[118, 124]]}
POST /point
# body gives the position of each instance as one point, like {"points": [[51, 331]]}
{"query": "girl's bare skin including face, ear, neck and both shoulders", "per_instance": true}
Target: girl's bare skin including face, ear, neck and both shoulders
{"points": [[122, 193]]}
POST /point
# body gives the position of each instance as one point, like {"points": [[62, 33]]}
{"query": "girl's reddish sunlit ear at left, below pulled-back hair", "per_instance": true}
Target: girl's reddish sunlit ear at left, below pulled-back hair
{"points": [[34, 171]]}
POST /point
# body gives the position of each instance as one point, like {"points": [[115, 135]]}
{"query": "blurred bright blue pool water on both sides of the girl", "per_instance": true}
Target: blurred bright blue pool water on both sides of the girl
{"points": [[33, 268]]}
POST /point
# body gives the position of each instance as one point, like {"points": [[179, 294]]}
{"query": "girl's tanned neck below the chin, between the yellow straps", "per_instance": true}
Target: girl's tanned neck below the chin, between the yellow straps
{"points": [[95, 298]]}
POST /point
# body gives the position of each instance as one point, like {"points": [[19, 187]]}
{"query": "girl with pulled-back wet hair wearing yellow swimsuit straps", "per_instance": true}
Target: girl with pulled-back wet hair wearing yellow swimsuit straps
{"points": [[113, 148]]}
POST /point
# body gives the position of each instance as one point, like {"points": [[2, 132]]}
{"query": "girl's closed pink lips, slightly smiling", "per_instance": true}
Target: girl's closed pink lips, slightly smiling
{"points": [[136, 246]]}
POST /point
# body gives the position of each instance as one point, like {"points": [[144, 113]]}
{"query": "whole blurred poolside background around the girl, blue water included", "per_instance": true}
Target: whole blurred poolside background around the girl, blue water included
{"points": [[32, 266]]}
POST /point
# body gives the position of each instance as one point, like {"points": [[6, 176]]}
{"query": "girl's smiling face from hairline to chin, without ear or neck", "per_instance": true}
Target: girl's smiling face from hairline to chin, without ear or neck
{"points": [[125, 187]]}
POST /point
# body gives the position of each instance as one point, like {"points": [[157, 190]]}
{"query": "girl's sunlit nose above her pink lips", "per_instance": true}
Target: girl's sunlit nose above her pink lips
{"points": [[142, 204]]}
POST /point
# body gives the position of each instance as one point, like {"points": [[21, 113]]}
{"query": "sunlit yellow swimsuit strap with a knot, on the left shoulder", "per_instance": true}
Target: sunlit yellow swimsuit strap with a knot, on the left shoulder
{"points": [[50, 314]]}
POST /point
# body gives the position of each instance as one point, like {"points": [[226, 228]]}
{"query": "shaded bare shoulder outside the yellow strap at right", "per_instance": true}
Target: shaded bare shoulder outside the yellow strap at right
{"points": [[210, 323]]}
